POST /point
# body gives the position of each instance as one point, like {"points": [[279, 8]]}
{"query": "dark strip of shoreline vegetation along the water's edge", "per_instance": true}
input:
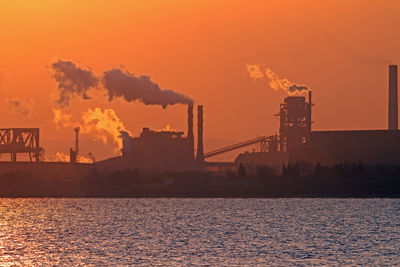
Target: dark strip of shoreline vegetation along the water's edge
{"points": [[342, 181]]}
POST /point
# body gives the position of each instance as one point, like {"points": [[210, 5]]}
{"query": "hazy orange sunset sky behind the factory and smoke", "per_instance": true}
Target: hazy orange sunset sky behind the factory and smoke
{"points": [[340, 49]]}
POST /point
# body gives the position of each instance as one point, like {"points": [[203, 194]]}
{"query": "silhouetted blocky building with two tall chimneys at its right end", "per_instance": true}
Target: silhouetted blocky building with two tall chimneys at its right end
{"points": [[161, 150]]}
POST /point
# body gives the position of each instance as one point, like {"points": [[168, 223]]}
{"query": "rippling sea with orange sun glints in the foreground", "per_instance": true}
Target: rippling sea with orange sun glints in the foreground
{"points": [[199, 232]]}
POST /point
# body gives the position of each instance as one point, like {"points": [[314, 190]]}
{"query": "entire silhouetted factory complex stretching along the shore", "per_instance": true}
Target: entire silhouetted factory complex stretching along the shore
{"points": [[175, 150]]}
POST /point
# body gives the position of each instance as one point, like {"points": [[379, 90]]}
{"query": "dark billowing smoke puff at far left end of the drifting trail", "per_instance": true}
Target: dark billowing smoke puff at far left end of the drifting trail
{"points": [[72, 80]]}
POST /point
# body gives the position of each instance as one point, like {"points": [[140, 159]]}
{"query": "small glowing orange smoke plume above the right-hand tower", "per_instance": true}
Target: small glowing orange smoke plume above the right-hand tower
{"points": [[274, 81]]}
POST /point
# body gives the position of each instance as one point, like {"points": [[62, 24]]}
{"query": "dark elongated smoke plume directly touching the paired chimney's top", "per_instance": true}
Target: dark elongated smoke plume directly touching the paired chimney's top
{"points": [[140, 88]]}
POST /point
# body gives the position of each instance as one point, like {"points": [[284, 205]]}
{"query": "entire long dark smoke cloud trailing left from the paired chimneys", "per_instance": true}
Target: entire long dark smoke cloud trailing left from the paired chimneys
{"points": [[74, 80]]}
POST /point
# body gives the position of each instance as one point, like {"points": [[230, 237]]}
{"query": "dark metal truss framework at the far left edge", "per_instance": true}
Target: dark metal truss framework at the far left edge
{"points": [[20, 140]]}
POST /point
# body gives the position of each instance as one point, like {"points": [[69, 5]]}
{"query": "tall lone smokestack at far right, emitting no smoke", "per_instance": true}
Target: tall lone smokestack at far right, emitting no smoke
{"points": [[393, 106]]}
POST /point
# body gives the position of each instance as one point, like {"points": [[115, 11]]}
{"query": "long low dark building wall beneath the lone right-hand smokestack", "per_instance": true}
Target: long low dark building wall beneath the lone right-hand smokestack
{"points": [[372, 147]]}
